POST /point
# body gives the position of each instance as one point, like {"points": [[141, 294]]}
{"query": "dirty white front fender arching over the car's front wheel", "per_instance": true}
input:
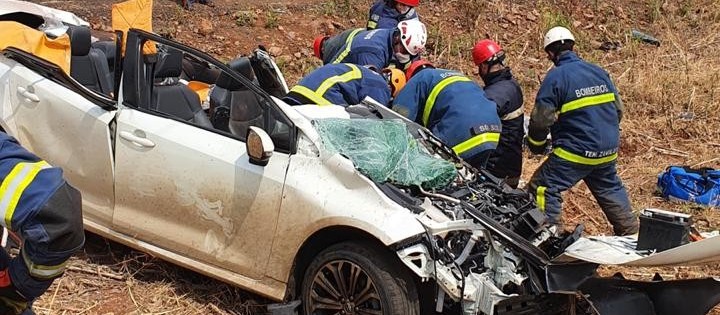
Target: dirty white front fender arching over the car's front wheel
{"points": [[324, 190]]}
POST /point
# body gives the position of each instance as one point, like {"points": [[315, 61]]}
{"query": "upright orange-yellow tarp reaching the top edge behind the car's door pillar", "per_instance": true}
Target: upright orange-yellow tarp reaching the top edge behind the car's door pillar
{"points": [[134, 14]]}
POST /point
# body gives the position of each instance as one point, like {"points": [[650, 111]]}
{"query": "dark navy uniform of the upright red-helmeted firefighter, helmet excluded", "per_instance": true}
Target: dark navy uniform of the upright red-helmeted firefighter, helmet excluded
{"points": [[506, 160]]}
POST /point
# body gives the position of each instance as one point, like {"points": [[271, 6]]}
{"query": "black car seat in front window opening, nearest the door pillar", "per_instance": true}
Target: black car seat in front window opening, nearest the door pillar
{"points": [[171, 97]]}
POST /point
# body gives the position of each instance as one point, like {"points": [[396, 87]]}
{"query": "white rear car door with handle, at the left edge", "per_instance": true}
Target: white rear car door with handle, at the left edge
{"points": [[65, 124]]}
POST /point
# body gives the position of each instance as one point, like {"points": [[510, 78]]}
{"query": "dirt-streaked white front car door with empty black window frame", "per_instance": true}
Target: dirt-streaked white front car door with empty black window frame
{"points": [[186, 188]]}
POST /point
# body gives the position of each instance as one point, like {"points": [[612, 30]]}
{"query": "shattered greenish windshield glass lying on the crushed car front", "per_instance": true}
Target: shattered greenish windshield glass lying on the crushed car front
{"points": [[384, 151]]}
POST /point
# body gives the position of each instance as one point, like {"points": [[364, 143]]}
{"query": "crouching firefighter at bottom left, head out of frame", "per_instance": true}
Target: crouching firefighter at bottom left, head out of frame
{"points": [[38, 204]]}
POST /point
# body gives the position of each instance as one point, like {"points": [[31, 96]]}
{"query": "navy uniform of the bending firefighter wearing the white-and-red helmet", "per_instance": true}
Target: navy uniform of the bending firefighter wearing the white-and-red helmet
{"points": [[373, 48]]}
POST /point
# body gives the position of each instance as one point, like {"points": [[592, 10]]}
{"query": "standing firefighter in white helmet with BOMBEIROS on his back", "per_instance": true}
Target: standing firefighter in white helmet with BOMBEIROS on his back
{"points": [[580, 106]]}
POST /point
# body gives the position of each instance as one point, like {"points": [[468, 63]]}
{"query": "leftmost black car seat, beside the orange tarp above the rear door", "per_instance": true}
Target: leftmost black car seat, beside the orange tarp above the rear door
{"points": [[88, 65]]}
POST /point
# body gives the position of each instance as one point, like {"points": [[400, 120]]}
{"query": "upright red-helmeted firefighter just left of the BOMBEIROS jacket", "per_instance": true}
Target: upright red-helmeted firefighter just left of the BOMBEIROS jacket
{"points": [[503, 89]]}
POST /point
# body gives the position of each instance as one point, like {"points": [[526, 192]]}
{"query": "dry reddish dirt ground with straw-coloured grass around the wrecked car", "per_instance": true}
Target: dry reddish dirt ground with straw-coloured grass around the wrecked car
{"points": [[671, 94]]}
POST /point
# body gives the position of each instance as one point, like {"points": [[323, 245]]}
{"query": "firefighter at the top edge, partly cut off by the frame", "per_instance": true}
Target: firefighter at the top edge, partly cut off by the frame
{"points": [[387, 13]]}
